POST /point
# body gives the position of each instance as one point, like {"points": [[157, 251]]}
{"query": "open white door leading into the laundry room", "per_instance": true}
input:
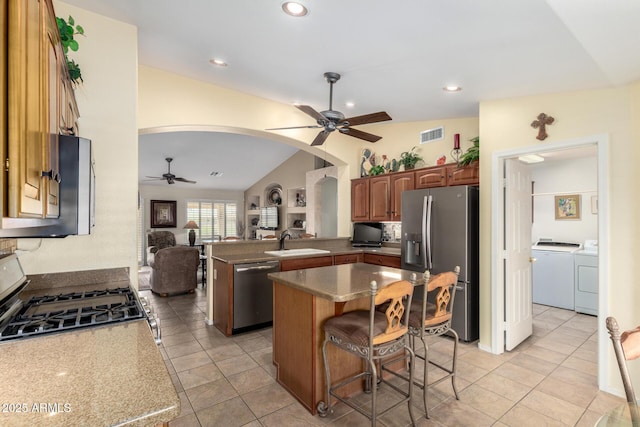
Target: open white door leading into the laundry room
{"points": [[517, 248]]}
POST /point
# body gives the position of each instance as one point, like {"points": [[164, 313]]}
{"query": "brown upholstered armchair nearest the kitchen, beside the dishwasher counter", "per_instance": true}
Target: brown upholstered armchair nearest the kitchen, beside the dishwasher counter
{"points": [[174, 270]]}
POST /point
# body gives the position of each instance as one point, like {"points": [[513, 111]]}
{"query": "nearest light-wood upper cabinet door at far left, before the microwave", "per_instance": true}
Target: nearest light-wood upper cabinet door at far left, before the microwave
{"points": [[27, 121]]}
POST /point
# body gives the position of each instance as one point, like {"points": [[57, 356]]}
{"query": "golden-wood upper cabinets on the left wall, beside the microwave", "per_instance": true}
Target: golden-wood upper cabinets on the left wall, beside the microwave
{"points": [[35, 75]]}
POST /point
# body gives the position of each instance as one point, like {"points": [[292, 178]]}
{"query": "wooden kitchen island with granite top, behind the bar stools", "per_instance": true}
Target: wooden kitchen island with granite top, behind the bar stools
{"points": [[302, 301]]}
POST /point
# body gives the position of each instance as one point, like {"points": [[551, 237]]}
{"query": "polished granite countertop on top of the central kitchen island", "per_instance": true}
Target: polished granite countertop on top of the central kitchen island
{"points": [[341, 283]]}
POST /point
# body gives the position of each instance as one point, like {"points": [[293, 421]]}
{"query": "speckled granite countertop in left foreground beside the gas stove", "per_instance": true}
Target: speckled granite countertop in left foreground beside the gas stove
{"points": [[105, 375]]}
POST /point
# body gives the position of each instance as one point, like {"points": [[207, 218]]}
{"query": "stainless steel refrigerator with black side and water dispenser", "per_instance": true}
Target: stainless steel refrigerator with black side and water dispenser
{"points": [[440, 229]]}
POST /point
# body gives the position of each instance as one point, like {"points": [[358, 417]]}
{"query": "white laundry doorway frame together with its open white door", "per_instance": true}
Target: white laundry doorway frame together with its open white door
{"points": [[510, 276]]}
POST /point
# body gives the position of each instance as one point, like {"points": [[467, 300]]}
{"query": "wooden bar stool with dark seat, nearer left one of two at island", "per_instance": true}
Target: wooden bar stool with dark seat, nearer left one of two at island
{"points": [[372, 335]]}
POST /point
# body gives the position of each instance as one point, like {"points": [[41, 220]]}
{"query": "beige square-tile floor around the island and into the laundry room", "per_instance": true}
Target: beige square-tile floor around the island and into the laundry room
{"points": [[550, 379]]}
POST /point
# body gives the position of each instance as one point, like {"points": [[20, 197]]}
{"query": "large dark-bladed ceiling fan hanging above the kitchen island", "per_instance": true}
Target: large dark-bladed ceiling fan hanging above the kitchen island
{"points": [[331, 120]]}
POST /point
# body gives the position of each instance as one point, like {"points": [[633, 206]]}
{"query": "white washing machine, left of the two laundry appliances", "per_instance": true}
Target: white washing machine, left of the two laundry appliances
{"points": [[553, 274]]}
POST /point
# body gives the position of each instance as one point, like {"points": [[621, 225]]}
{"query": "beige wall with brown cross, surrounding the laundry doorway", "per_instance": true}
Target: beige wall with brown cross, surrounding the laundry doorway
{"points": [[505, 124]]}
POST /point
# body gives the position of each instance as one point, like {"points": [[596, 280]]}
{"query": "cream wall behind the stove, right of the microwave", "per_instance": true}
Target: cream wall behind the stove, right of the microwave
{"points": [[107, 101]]}
